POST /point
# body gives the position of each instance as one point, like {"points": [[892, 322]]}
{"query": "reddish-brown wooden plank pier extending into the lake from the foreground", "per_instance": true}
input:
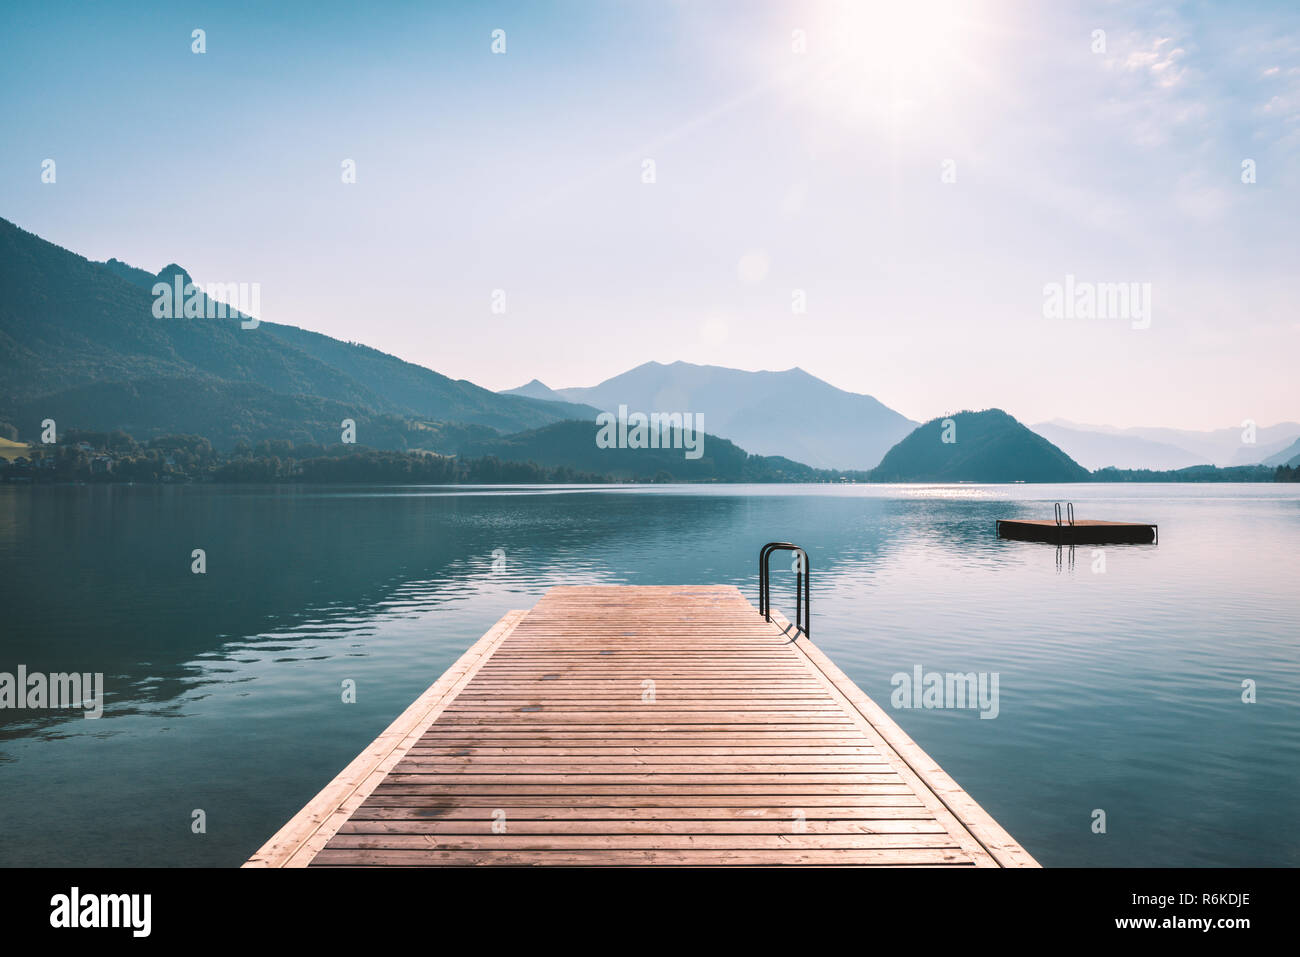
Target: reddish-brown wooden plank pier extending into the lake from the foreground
{"points": [[643, 726]]}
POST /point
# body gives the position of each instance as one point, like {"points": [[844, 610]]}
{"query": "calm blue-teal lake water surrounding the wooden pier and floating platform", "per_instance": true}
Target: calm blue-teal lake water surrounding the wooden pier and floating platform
{"points": [[1120, 690]]}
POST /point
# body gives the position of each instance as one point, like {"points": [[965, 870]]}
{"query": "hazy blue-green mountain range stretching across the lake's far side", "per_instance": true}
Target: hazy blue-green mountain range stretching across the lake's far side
{"points": [[80, 344]]}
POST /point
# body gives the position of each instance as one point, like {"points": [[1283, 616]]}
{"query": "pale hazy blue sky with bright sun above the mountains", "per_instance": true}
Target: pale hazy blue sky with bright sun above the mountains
{"points": [[775, 171]]}
